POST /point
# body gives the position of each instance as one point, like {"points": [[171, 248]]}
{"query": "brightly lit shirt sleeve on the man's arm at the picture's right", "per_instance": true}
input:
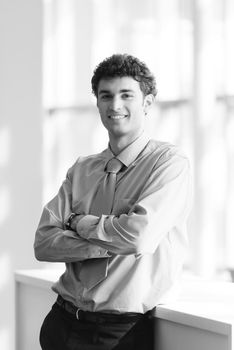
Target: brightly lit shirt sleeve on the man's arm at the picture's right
{"points": [[162, 207]]}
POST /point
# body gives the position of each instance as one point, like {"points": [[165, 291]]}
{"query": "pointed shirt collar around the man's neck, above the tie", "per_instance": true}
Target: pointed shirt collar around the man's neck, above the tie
{"points": [[130, 153]]}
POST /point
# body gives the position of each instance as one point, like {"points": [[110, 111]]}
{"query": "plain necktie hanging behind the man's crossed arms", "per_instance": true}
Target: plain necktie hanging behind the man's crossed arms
{"points": [[94, 271]]}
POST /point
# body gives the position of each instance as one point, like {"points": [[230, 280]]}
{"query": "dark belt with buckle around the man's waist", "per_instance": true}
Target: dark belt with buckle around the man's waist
{"points": [[97, 317]]}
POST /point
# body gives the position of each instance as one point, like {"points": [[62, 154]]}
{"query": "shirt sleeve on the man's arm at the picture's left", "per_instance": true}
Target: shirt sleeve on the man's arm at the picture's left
{"points": [[53, 242]]}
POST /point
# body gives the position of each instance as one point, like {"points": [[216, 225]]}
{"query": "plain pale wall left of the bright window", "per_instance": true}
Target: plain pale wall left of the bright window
{"points": [[20, 147]]}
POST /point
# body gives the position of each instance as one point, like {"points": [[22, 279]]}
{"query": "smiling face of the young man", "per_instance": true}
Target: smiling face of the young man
{"points": [[122, 107]]}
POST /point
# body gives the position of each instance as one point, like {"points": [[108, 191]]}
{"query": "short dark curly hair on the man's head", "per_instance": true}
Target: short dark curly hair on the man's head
{"points": [[124, 65]]}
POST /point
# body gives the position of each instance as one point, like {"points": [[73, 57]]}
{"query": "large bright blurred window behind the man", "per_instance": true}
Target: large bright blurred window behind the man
{"points": [[188, 45]]}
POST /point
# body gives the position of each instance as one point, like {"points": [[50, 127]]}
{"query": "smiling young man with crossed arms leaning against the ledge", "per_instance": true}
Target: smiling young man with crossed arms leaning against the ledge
{"points": [[117, 222]]}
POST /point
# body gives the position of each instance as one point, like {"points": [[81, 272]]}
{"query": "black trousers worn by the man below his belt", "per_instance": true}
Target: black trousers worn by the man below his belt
{"points": [[62, 331]]}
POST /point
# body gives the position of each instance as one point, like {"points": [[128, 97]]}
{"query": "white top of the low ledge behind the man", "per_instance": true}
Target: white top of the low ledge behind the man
{"points": [[207, 305]]}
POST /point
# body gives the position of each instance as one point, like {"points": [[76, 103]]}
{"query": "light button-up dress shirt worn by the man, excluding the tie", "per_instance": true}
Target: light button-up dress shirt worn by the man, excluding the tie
{"points": [[144, 236]]}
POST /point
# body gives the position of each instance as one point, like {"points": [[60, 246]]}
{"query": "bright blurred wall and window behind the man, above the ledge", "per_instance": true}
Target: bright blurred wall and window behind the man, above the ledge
{"points": [[48, 116]]}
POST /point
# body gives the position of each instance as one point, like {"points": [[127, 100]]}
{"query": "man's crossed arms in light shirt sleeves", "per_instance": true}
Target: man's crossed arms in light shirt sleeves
{"points": [[163, 204]]}
